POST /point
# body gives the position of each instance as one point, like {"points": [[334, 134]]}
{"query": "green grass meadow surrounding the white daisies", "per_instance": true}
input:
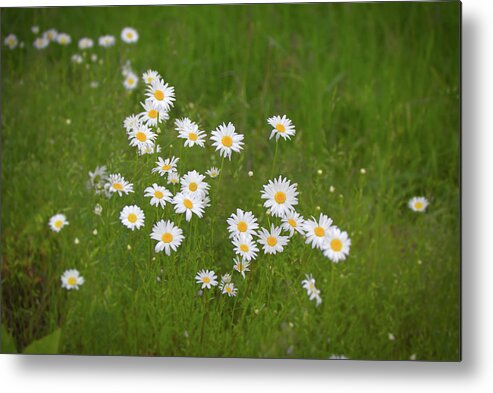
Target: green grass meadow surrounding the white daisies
{"points": [[372, 86]]}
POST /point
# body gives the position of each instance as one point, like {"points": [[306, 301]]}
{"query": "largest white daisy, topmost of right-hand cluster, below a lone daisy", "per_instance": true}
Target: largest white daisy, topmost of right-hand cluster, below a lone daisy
{"points": [[280, 196]]}
